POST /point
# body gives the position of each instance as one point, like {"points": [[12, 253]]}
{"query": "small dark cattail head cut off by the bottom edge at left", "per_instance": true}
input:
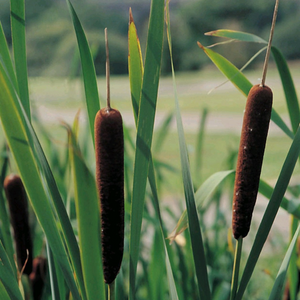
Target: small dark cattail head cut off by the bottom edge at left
{"points": [[38, 277]]}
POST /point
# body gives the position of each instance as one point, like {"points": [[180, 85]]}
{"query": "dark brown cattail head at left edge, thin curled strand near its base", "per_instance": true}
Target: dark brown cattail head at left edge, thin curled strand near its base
{"points": [[18, 207]]}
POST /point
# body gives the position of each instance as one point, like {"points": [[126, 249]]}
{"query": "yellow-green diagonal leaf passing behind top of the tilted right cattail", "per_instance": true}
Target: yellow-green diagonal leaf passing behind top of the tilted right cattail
{"points": [[241, 82]]}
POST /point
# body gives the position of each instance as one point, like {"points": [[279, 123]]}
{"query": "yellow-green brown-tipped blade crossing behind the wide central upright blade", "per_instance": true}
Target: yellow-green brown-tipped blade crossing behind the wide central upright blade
{"points": [[135, 76]]}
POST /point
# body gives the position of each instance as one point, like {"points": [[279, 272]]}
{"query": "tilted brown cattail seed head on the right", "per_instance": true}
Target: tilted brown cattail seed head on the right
{"points": [[251, 150]]}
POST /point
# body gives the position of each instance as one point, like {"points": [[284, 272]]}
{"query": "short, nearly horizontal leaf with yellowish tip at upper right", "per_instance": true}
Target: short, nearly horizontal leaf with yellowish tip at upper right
{"points": [[237, 35]]}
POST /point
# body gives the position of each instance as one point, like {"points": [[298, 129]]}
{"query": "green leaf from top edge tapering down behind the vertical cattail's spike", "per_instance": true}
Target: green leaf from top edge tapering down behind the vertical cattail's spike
{"points": [[88, 70]]}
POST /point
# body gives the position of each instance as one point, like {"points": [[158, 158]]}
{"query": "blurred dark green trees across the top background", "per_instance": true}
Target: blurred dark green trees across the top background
{"points": [[52, 49]]}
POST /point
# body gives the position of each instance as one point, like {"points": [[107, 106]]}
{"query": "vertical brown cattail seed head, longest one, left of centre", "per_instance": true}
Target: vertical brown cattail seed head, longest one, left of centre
{"points": [[109, 146]]}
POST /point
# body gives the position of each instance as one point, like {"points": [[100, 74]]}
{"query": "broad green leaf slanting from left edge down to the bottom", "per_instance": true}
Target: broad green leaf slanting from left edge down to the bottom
{"points": [[16, 133]]}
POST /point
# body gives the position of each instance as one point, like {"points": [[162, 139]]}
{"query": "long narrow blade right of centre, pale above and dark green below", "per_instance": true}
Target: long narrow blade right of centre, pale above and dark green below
{"points": [[194, 226]]}
